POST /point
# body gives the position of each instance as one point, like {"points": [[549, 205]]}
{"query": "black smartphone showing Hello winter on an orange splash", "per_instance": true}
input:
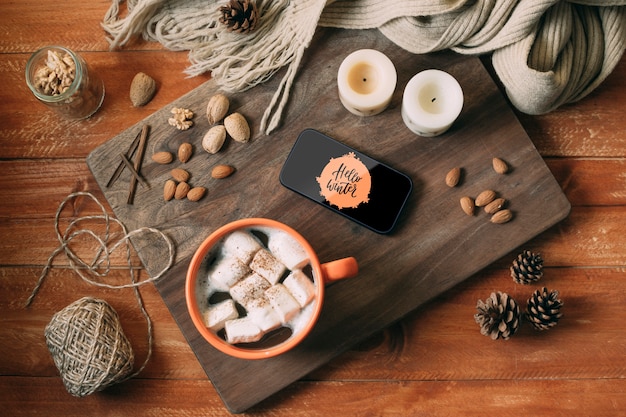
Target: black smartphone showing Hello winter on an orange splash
{"points": [[346, 181]]}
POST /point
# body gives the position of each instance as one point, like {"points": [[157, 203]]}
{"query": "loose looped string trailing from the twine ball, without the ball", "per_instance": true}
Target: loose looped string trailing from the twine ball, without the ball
{"points": [[100, 265]]}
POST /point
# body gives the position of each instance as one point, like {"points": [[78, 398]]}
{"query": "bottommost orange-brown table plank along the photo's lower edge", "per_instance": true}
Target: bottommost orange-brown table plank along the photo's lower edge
{"points": [[34, 396]]}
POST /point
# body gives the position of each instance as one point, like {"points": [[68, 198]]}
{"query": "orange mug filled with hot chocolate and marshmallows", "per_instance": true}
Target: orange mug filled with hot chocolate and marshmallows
{"points": [[209, 297]]}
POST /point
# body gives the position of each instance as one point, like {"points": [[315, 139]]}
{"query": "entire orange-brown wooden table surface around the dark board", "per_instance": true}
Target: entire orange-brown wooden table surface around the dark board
{"points": [[433, 362]]}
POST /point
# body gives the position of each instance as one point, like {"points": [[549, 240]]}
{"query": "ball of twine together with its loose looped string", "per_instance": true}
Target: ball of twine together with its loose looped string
{"points": [[85, 339]]}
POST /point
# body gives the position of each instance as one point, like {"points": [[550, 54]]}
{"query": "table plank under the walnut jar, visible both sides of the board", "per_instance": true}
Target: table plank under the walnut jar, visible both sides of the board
{"points": [[578, 132]]}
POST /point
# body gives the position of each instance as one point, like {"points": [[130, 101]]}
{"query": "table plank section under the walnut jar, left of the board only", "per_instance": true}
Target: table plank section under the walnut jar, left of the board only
{"points": [[43, 134]]}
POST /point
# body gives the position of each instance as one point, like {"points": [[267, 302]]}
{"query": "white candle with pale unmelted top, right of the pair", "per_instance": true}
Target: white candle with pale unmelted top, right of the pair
{"points": [[432, 101]]}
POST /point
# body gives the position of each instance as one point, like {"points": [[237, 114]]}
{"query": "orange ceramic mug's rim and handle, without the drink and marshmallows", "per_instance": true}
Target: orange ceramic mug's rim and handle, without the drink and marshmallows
{"points": [[322, 274]]}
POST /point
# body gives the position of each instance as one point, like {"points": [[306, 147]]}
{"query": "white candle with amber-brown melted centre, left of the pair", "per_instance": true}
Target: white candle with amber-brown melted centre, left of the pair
{"points": [[366, 80]]}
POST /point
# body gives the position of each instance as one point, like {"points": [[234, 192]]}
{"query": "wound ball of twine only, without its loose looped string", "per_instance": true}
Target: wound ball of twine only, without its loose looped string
{"points": [[88, 346]]}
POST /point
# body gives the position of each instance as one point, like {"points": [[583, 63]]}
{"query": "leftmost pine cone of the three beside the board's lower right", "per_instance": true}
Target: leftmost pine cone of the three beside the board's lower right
{"points": [[498, 316]]}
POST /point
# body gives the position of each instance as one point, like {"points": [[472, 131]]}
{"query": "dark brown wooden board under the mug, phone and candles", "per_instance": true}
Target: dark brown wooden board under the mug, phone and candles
{"points": [[434, 246]]}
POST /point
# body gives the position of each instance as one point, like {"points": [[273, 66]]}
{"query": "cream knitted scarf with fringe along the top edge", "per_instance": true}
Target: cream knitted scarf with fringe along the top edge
{"points": [[545, 52]]}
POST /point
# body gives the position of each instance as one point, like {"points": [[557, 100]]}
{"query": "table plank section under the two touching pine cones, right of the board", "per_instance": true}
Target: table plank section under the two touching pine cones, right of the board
{"points": [[441, 341]]}
